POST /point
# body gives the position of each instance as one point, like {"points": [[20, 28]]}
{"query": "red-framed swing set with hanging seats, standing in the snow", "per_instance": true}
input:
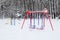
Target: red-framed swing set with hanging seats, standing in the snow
{"points": [[44, 12]]}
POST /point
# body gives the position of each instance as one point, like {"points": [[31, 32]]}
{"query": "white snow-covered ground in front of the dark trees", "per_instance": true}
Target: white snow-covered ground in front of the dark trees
{"points": [[14, 32]]}
